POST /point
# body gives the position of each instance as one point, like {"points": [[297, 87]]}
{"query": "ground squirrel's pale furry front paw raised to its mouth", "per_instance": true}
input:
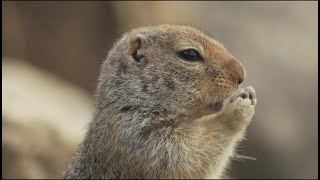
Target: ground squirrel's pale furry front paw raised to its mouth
{"points": [[240, 106]]}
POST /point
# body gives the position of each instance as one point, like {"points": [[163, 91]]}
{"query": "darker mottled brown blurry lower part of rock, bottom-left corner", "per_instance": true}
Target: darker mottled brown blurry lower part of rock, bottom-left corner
{"points": [[33, 150]]}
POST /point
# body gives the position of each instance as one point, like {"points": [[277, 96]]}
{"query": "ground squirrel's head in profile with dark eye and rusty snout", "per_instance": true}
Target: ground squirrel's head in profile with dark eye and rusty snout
{"points": [[178, 68]]}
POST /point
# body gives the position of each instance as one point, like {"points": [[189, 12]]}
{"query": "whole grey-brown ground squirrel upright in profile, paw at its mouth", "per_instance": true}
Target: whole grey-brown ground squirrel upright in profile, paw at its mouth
{"points": [[168, 106]]}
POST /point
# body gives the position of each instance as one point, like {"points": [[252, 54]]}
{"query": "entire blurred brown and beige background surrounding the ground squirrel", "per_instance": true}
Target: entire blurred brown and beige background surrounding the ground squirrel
{"points": [[52, 51]]}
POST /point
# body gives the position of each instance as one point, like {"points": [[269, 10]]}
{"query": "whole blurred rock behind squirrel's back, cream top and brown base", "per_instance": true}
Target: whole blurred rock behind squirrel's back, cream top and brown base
{"points": [[43, 120]]}
